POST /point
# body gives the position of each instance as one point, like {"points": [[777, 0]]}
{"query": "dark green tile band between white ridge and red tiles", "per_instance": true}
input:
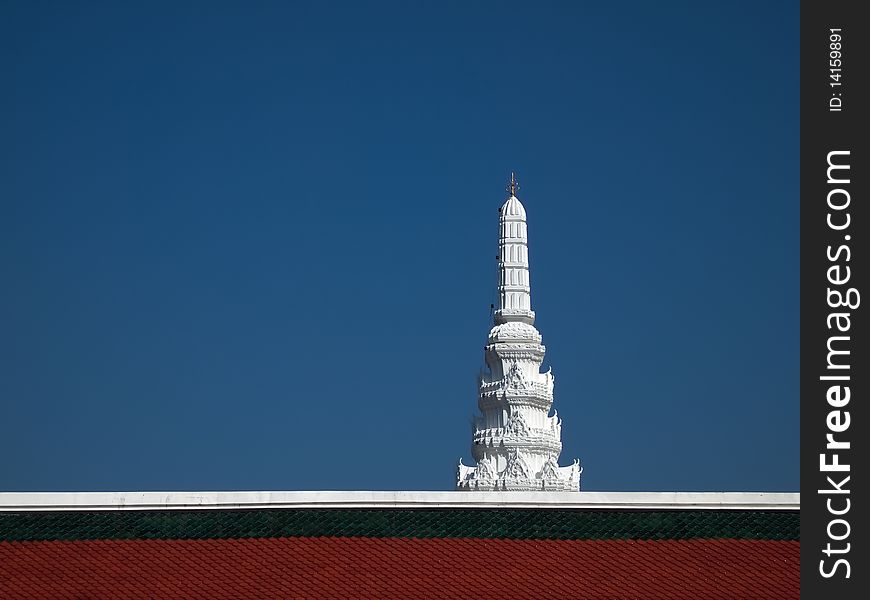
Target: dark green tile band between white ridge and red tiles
{"points": [[492, 523]]}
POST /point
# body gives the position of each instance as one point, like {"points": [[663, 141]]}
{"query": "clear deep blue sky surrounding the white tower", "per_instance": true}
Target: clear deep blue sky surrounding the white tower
{"points": [[251, 245]]}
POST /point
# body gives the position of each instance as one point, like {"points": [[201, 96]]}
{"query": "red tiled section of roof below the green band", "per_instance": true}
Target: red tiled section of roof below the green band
{"points": [[342, 567]]}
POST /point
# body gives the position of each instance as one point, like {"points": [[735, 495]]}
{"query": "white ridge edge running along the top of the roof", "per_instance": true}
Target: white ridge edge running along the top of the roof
{"points": [[61, 501]]}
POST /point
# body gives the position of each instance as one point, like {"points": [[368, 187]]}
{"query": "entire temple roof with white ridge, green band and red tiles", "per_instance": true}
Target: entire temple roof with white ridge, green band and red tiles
{"points": [[399, 544]]}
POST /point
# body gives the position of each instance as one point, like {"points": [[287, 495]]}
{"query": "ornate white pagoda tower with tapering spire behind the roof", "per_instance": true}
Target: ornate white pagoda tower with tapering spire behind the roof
{"points": [[516, 442]]}
